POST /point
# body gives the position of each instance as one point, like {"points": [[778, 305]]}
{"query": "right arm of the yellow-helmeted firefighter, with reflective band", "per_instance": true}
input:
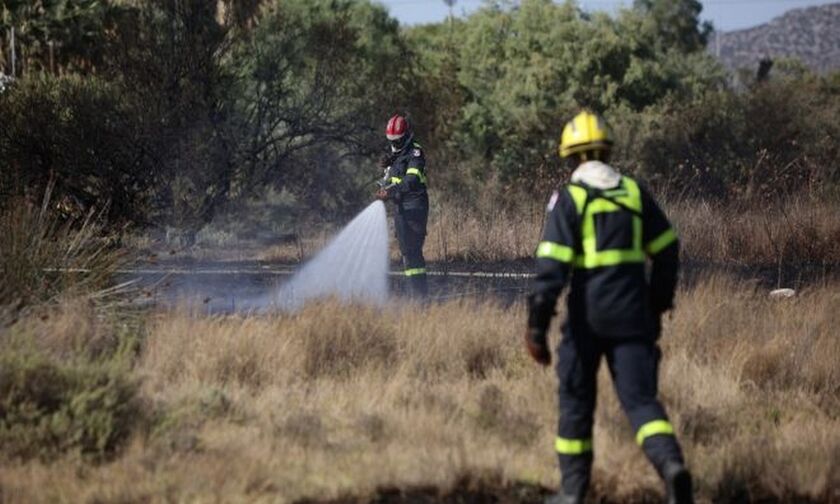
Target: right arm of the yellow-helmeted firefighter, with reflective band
{"points": [[662, 246]]}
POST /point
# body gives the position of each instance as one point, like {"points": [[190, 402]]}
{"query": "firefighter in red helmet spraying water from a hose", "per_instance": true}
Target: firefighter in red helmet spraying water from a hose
{"points": [[404, 183]]}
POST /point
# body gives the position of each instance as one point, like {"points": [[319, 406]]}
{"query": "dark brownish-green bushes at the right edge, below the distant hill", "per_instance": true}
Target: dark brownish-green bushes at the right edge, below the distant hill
{"points": [[778, 138]]}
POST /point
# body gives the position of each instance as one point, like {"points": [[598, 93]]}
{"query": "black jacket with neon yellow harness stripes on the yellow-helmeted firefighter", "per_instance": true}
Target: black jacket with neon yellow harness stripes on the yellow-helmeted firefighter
{"points": [[605, 241]]}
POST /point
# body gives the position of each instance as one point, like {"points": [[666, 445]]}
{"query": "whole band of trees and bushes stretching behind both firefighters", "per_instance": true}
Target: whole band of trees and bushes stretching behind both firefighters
{"points": [[167, 110]]}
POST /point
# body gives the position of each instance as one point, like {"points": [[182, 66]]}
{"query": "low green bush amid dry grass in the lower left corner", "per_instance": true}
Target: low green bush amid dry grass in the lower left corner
{"points": [[49, 407]]}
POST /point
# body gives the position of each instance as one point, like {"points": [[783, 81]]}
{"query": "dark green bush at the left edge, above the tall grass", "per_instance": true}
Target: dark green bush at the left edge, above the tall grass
{"points": [[75, 135]]}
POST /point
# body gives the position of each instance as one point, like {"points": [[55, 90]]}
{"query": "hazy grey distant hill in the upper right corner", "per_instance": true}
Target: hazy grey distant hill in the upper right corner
{"points": [[811, 34]]}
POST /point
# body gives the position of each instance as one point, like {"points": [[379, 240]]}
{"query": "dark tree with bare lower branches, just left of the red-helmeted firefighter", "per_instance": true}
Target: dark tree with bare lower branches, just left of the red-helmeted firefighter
{"points": [[313, 81]]}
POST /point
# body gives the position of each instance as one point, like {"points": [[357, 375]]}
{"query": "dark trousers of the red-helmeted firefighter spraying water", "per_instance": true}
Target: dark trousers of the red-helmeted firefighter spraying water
{"points": [[410, 227]]}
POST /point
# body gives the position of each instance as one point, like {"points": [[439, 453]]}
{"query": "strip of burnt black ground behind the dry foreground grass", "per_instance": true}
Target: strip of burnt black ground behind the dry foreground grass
{"points": [[223, 287]]}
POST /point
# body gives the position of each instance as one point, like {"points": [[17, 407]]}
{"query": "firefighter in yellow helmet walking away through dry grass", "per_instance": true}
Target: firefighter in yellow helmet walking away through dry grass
{"points": [[601, 232]]}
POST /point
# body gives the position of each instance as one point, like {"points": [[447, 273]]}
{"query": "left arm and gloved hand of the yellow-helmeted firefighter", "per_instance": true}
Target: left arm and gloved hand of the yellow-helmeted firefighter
{"points": [[555, 255]]}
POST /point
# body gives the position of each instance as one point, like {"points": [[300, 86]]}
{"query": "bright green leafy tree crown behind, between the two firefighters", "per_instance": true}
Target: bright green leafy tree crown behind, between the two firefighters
{"points": [[525, 69]]}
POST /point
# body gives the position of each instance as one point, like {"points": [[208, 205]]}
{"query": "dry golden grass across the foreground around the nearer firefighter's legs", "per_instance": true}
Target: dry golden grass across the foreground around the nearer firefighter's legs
{"points": [[341, 400]]}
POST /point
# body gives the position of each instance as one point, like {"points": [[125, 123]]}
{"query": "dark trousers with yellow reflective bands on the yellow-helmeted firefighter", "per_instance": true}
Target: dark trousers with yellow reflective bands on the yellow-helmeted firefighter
{"points": [[633, 365]]}
